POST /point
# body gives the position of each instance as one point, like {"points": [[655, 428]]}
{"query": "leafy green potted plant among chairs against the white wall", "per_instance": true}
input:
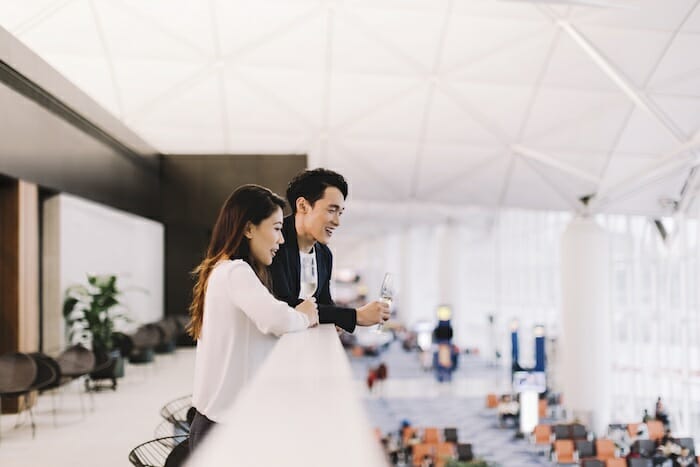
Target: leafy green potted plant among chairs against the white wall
{"points": [[91, 312]]}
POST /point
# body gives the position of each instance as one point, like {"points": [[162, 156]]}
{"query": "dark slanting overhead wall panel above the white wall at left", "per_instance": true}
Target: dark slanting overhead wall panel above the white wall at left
{"points": [[41, 147]]}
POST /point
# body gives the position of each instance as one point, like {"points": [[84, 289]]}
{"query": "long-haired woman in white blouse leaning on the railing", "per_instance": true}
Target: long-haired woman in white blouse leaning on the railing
{"points": [[234, 317]]}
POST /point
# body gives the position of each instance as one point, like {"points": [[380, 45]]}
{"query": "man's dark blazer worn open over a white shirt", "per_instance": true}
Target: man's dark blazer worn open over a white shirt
{"points": [[286, 267]]}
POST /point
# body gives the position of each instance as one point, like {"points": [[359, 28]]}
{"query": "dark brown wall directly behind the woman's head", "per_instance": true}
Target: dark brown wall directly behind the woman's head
{"points": [[194, 188]]}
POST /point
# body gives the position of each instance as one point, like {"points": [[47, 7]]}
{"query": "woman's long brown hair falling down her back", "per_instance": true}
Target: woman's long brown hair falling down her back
{"points": [[248, 203]]}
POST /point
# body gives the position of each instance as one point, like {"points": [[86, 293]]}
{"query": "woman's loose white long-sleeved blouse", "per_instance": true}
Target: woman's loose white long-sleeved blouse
{"points": [[240, 324]]}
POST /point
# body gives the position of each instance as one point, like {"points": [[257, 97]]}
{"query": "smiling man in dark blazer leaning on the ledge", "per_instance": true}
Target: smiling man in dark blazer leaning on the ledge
{"points": [[317, 198]]}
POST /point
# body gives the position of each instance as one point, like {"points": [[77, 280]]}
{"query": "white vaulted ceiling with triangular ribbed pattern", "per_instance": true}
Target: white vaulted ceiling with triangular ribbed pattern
{"points": [[471, 102]]}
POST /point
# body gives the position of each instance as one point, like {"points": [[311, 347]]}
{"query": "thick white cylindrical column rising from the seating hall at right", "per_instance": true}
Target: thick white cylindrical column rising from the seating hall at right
{"points": [[585, 342]]}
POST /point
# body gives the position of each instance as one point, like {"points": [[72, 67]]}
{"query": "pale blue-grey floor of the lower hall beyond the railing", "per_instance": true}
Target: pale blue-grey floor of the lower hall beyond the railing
{"points": [[413, 395]]}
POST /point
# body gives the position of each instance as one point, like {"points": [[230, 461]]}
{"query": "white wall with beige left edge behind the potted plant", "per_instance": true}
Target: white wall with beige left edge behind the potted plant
{"points": [[82, 237]]}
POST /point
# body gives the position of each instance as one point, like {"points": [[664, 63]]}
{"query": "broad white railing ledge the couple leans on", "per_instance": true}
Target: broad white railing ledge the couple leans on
{"points": [[301, 409]]}
